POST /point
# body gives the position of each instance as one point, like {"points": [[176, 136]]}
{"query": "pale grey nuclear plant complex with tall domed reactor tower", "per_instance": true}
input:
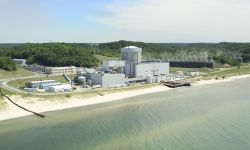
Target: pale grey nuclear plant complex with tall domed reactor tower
{"points": [[129, 69]]}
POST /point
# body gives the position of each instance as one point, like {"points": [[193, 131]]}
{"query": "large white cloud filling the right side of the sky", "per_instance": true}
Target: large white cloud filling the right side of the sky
{"points": [[182, 20]]}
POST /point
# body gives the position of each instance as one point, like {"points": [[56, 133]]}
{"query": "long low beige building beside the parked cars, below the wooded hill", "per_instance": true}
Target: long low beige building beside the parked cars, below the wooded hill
{"points": [[61, 70]]}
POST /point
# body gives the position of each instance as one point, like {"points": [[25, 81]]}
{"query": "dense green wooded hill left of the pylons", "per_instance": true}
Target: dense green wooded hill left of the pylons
{"points": [[52, 54]]}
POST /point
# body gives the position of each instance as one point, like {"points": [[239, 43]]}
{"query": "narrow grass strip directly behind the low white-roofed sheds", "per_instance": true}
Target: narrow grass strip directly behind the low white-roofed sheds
{"points": [[21, 82]]}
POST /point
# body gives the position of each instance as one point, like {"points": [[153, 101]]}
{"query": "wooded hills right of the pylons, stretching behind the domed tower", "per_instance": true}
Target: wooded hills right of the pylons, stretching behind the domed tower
{"points": [[179, 51]]}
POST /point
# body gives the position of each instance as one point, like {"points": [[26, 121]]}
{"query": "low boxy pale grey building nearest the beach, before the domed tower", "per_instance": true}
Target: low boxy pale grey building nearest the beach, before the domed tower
{"points": [[108, 80]]}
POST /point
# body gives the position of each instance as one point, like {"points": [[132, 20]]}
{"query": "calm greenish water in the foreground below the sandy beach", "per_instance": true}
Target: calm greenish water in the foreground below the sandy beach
{"points": [[211, 117]]}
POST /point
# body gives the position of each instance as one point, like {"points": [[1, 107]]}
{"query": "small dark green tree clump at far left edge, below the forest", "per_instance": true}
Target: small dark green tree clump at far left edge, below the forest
{"points": [[7, 64]]}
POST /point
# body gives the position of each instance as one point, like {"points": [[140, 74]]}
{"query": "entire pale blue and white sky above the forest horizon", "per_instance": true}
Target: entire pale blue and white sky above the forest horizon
{"points": [[162, 21]]}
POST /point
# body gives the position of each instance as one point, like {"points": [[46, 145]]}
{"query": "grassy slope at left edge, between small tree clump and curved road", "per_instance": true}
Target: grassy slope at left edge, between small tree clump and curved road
{"points": [[12, 74]]}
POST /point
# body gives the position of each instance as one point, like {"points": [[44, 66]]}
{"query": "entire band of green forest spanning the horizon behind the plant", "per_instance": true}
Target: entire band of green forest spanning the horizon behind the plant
{"points": [[83, 54]]}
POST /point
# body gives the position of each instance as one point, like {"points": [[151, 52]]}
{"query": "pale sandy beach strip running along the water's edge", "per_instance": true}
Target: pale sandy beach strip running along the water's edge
{"points": [[41, 105]]}
